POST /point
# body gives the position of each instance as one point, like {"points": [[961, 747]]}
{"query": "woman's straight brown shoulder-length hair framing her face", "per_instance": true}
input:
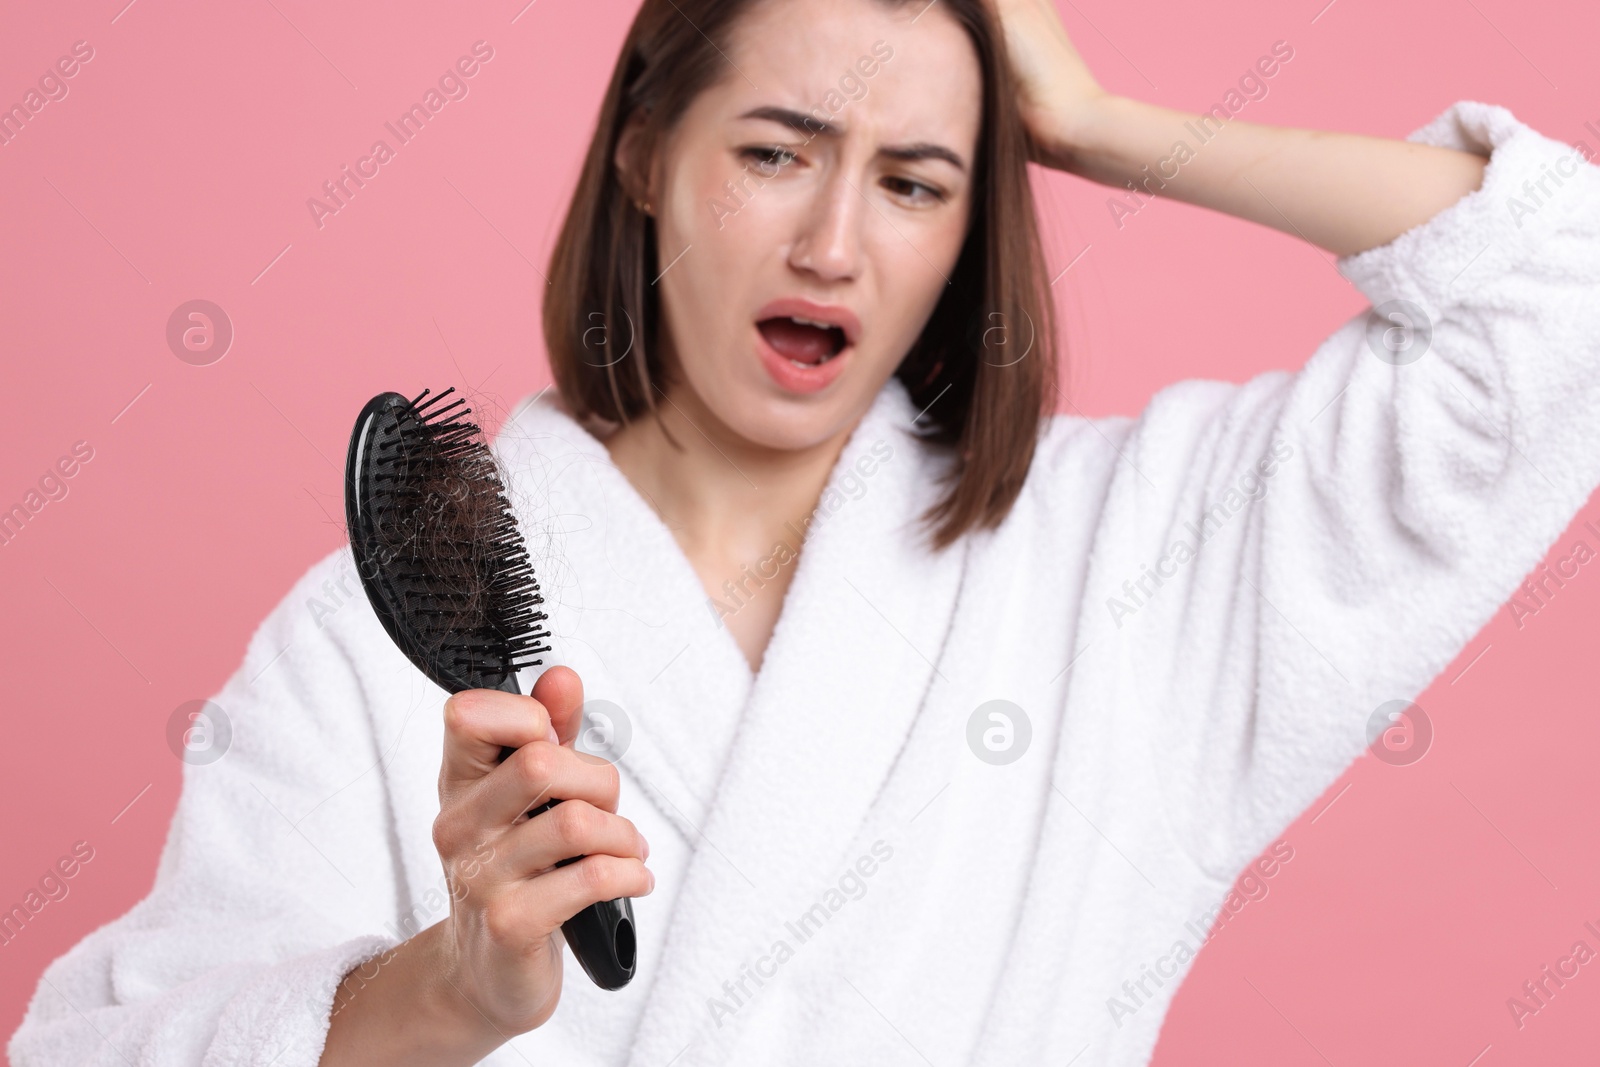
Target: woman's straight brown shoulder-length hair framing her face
{"points": [[982, 402]]}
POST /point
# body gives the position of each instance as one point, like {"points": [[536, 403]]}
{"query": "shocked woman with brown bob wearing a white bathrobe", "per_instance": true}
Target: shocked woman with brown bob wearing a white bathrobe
{"points": [[945, 719]]}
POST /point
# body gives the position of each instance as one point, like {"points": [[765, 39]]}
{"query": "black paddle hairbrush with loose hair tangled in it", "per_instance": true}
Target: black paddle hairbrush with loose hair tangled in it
{"points": [[449, 575]]}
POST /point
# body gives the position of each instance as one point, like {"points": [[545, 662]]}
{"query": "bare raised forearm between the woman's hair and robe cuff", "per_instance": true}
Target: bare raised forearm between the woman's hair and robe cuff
{"points": [[1343, 193]]}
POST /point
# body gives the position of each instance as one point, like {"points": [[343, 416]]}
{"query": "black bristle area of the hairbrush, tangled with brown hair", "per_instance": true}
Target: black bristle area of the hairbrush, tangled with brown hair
{"points": [[457, 554]]}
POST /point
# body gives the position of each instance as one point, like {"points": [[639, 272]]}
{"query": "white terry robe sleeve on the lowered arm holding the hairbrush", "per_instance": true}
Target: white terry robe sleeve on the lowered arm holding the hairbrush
{"points": [[273, 881]]}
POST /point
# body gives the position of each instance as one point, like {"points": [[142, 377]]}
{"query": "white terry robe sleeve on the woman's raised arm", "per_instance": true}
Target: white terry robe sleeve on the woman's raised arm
{"points": [[1348, 529]]}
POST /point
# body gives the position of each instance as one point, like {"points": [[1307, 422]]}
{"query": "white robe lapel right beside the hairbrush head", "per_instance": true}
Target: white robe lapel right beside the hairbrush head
{"points": [[628, 613]]}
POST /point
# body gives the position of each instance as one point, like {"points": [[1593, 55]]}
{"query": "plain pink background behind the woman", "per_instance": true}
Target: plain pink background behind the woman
{"points": [[180, 166]]}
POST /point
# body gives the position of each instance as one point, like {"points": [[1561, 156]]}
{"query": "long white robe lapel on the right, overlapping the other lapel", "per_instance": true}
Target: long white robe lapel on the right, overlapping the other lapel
{"points": [[844, 679]]}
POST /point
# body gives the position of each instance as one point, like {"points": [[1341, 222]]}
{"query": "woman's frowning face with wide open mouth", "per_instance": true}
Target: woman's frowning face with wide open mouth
{"points": [[810, 210]]}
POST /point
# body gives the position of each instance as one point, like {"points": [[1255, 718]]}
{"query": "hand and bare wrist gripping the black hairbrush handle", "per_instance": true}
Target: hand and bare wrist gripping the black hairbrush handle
{"points": [[494, 969]]}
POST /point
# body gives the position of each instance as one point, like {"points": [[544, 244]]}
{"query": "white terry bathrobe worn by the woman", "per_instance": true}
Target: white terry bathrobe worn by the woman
{"points": [[849, 873]]}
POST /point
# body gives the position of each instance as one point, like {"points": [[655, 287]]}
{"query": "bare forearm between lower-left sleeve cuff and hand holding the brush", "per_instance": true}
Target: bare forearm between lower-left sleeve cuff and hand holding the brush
{"points": [[401, 1009]]}
